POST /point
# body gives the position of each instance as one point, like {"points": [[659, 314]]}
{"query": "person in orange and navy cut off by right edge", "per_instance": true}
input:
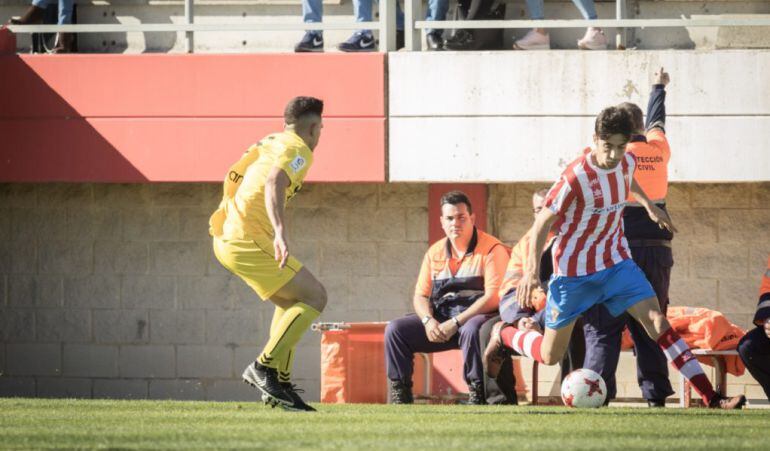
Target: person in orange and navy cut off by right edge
{"points": [[754, 347]]}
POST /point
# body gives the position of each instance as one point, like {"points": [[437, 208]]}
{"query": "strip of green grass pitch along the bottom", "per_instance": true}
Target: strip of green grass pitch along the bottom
{"points": [[43, 423]]}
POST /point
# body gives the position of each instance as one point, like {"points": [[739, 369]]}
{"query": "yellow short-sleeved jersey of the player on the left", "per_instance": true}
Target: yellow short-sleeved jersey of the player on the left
{"points": [[242, 214]]}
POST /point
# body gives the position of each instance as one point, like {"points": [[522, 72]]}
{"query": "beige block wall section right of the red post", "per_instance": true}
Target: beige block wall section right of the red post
{"points": [[719, 257]]}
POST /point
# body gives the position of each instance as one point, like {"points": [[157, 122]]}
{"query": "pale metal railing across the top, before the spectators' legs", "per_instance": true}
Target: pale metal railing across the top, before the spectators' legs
{"points": [[414, 25]]}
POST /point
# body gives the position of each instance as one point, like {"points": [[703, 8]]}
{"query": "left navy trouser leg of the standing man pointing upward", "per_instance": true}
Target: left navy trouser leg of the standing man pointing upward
{"points": [[603, 334]]}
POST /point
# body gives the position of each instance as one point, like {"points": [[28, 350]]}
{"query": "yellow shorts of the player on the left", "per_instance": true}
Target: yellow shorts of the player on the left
{"points": [[254, 262]]}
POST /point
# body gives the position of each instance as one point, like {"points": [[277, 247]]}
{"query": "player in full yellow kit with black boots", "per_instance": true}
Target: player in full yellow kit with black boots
{"points": [[249, 235]]}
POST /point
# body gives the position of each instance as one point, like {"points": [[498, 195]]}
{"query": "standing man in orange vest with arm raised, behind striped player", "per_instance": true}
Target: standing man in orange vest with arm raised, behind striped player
{"points": [[650, 249]]}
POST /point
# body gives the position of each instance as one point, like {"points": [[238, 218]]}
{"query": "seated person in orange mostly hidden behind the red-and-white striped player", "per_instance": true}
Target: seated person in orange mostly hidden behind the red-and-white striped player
{"points": [[527, 318]]}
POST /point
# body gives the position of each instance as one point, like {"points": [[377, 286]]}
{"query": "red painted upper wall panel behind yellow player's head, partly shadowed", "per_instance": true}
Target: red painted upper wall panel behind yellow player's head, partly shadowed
{"points": [[183, 118]]}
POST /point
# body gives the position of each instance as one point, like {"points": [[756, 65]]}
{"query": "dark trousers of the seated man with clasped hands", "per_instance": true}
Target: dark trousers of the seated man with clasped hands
{"points": [[406, 336]]}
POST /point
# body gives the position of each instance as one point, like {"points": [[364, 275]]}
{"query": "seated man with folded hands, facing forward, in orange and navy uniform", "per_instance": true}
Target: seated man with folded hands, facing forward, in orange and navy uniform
{"points": [[456, 293]]}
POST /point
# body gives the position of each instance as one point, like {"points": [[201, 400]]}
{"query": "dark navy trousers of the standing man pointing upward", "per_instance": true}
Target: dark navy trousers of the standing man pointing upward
{"points": [[603, 332]]}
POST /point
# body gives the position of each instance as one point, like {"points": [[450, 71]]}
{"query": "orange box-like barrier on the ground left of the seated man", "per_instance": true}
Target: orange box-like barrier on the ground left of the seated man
{"points": [[353, 364]]}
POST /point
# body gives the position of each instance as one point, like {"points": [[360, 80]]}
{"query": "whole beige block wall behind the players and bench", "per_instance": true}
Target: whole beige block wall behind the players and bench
{"points": [[112, 290]]}
